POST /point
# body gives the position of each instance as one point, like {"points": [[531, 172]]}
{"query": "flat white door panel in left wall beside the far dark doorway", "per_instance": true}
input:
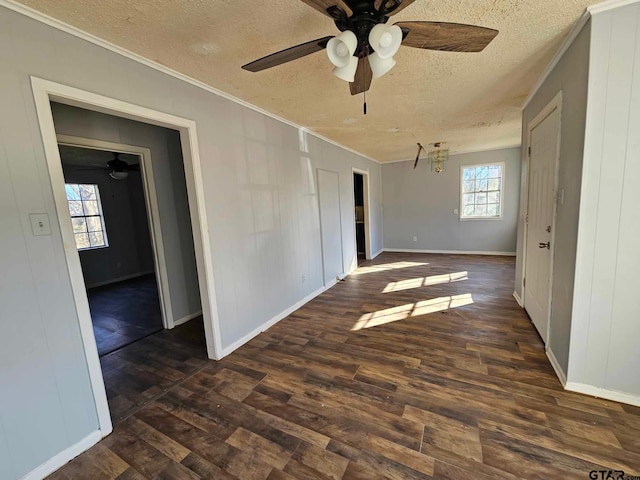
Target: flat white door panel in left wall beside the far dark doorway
{"points": [[330, 224]]}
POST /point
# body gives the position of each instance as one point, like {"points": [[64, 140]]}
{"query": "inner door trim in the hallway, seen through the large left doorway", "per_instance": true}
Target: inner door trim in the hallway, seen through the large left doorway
{"points": [[151, 206]]}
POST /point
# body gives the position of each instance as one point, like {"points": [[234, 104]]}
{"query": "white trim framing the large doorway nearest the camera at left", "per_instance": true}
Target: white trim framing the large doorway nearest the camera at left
{"points": [[44, 92]]}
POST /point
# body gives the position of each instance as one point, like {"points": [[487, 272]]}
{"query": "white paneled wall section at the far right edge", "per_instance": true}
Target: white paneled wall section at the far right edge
{"points": [[605, 332]]}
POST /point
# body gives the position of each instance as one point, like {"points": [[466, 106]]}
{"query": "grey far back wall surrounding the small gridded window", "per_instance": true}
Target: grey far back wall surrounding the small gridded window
{"points": [[420, 203]]}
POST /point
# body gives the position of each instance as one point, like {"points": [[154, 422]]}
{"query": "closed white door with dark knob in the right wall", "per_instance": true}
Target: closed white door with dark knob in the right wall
{"points": [[540, 214]]}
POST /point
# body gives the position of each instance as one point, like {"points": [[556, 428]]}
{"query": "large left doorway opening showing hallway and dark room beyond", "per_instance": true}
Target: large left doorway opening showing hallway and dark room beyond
{"points": [[129, 211]]}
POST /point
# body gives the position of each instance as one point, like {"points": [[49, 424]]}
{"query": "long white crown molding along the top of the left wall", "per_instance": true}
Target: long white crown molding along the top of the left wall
{"points": [[81, 34]]}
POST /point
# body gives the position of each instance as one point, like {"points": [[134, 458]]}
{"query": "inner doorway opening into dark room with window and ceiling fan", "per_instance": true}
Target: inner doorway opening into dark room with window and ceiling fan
{"points": [[111, 229]]}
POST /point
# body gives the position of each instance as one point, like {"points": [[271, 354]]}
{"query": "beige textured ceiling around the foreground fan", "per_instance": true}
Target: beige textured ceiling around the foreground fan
{"points": [[469, 100]]}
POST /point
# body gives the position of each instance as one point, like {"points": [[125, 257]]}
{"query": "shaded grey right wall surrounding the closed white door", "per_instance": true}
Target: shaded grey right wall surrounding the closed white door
{"points": [[570, 76]]}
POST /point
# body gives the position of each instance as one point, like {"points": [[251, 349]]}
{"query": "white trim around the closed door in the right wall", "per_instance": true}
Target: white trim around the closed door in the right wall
{"points": [[555, 104]]}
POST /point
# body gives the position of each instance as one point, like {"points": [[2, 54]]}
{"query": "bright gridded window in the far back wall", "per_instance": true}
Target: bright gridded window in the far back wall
{"points": [[482, 188]]}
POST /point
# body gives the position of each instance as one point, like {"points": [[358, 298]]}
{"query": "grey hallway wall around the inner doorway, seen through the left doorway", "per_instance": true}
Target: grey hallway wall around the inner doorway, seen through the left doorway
{"points": [[171, 192]]}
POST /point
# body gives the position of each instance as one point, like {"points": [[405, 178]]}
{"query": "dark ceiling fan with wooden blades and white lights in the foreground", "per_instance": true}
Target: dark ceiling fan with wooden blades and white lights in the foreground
{"points": [[365, 48]]}
